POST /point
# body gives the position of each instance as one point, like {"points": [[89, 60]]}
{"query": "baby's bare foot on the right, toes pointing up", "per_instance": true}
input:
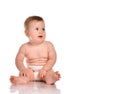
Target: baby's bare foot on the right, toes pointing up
{"points": [[52, 78]]}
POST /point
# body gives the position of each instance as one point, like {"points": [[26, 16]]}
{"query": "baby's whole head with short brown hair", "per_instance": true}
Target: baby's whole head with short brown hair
{"points": [[35, 29]]}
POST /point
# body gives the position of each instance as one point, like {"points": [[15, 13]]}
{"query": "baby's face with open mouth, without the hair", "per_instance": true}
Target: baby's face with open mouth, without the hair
{"points": [[36, 31]]}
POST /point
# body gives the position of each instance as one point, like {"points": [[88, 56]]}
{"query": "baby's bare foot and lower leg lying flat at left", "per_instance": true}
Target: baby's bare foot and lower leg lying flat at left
{"points": [[18, 80]]}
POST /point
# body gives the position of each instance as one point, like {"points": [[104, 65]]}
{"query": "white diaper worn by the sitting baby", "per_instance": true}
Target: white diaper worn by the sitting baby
{"points": [[36, 70]]}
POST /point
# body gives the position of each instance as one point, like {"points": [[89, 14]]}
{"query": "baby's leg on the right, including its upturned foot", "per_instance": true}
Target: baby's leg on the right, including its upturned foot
{"points": [[51, 77]]}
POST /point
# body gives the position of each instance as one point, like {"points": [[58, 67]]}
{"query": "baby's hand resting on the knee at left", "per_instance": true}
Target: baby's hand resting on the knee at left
{"points": [[27, 73]]}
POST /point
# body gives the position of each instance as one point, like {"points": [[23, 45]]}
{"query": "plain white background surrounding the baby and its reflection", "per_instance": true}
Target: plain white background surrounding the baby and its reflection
{"points": [[85, 33]]}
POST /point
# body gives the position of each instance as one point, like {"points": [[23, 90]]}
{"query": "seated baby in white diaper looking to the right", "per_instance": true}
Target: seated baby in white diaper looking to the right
{"points": [[40, 55]]}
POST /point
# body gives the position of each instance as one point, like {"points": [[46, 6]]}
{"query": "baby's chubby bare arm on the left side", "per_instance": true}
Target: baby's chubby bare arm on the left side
{"points": [[20, 58]]}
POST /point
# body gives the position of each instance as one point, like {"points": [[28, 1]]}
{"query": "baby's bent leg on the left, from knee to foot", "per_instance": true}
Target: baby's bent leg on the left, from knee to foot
{"points": [[24, 77]]}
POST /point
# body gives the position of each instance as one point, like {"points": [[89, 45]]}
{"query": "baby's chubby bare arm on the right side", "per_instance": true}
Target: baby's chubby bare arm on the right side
{"points": [[51, 57]]}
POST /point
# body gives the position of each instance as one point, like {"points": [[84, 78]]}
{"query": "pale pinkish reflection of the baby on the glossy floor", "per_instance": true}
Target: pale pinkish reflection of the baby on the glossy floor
{"points": [[35, 88]]}
